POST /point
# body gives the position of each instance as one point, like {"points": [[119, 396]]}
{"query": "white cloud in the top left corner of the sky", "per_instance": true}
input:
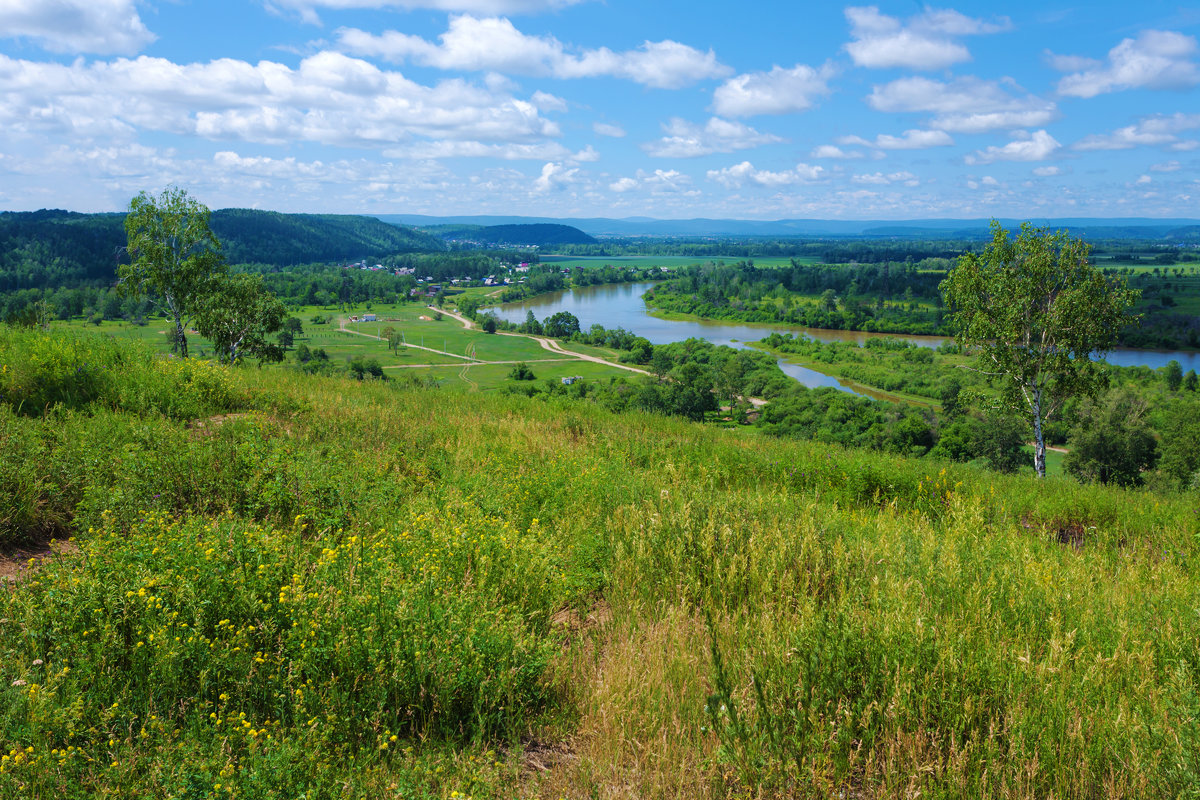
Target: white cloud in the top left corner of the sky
{"points": [[104, 27]]}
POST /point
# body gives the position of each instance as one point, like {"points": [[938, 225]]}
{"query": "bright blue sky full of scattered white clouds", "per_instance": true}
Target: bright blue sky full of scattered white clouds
{"points": [[614, 109]]}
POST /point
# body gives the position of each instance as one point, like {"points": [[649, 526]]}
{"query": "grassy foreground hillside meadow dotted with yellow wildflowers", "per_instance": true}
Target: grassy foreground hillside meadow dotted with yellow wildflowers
{"points": [[284, 586]]}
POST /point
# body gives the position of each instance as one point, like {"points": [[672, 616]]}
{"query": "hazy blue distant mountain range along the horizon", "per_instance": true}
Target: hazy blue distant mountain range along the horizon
{"points": [[1094, 228]]}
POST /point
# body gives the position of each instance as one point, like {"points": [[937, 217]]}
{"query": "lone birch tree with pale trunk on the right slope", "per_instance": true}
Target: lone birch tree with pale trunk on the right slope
{"points": [[1039, 315]]}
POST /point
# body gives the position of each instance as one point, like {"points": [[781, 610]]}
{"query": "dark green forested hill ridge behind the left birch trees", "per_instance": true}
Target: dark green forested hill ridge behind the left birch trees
{"points": [[63, 249]]}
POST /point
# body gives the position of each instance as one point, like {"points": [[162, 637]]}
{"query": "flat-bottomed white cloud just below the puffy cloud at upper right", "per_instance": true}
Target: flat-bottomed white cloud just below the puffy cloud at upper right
{"points": [[964, 105]]}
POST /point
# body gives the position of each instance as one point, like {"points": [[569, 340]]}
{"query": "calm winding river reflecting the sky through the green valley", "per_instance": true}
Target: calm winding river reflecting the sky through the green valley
{"points": [[620, 305]]}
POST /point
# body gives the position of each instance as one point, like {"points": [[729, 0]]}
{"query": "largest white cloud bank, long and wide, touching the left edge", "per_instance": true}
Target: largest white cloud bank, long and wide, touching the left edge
{"points": [[328, 99]]}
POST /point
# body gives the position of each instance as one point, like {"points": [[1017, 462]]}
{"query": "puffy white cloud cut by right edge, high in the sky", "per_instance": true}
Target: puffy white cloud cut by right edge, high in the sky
{"points": [[1157, 59]]}
